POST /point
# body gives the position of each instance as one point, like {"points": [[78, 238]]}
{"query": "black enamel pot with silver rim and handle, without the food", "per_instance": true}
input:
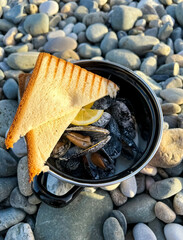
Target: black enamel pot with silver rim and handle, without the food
{"points": [[149, 120]]}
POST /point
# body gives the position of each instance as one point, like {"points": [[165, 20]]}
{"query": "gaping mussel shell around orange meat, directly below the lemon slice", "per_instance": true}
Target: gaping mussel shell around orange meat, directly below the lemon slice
{"points": [[99, 137]]}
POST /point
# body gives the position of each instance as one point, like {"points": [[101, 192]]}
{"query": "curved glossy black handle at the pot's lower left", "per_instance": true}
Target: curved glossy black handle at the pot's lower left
{"points": [[49, 198]]}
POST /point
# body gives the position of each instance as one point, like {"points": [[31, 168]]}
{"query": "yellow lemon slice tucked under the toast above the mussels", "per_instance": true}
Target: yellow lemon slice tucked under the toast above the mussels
{"points": [[87, 116]]}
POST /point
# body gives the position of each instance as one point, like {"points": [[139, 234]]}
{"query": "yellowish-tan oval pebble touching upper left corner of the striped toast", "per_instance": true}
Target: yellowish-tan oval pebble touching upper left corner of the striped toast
{"points": [[14, 60]]}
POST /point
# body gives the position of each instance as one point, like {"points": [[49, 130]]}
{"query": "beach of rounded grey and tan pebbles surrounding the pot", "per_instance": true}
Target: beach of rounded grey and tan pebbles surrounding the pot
{"points": [[147, 37]]}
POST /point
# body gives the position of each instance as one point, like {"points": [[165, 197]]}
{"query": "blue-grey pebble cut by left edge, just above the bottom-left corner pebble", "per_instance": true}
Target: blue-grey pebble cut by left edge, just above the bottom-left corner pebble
{"points": [[10, 217]]}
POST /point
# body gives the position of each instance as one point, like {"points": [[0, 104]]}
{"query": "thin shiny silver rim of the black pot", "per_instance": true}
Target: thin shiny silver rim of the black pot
{"points": [[160, 132]]}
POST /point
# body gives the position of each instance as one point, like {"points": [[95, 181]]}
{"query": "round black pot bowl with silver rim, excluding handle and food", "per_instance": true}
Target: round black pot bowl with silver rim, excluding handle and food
{"points": [[148, 117]]}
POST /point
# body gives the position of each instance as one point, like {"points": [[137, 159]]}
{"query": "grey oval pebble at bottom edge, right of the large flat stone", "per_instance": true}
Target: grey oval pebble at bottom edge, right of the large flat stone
{"points": [[112, 229]]}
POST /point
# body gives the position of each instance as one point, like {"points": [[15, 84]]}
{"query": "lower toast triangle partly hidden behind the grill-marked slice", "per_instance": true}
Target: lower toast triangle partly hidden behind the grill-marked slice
{"points": [[42, 140]]}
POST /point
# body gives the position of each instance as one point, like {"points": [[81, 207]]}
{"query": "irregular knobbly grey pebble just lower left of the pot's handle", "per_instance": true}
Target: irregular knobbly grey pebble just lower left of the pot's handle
{"points": [[17, 200]]}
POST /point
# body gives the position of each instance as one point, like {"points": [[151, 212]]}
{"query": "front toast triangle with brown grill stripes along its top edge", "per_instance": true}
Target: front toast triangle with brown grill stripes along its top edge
{"points": [[56, 87]]}
